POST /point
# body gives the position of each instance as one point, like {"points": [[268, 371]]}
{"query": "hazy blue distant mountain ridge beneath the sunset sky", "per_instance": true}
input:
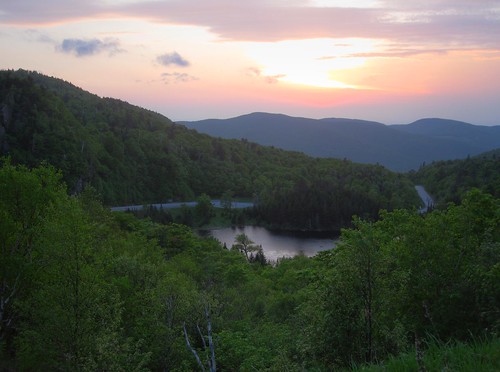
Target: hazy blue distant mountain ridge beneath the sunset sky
{"points": [[398, 147]]}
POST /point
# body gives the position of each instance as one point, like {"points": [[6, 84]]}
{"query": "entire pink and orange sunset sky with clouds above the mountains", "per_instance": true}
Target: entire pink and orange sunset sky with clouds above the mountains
{"points": [[391, 61]]}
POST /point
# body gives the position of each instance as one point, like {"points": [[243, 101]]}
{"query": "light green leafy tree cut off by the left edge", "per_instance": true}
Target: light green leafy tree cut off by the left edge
{"points": [[26, 196]]}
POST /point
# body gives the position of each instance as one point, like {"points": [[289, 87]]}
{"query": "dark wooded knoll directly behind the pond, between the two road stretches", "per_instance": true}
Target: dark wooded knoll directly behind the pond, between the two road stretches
{"points": [[322, 197]]}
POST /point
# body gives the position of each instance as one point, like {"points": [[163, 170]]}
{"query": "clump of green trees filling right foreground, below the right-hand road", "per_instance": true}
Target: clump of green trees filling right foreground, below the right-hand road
{"points": [[404, 277]]}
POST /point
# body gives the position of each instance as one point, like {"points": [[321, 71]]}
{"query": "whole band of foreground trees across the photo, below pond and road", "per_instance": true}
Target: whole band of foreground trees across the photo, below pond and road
{"points": [[86, 289]]}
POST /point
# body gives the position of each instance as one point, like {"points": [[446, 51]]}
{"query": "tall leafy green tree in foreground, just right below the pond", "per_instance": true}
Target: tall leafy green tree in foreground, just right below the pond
{"points": [[345, 303]]}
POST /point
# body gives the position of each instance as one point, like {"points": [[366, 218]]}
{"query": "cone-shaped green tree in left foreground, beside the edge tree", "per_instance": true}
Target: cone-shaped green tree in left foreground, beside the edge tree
{"points": [[72, 318]]}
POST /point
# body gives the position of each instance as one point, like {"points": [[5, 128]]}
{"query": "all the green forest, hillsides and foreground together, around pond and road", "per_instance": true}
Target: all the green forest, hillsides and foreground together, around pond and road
{"points": [[84, 289]]}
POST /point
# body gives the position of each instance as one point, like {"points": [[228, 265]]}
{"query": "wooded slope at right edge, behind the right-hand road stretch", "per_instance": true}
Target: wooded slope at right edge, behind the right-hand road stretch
{"points": [[448, 181]]}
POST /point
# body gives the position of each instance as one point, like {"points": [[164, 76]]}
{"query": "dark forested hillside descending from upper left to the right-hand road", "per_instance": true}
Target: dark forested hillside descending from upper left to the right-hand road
{"points": [[134, 156]]}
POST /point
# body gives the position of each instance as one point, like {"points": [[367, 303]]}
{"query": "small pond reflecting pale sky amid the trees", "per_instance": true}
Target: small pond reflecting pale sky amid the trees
{"points": [[277, 244]]}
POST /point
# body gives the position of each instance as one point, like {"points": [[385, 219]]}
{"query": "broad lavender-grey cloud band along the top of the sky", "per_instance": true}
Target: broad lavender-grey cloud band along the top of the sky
{"points": [[433, 23]]}
